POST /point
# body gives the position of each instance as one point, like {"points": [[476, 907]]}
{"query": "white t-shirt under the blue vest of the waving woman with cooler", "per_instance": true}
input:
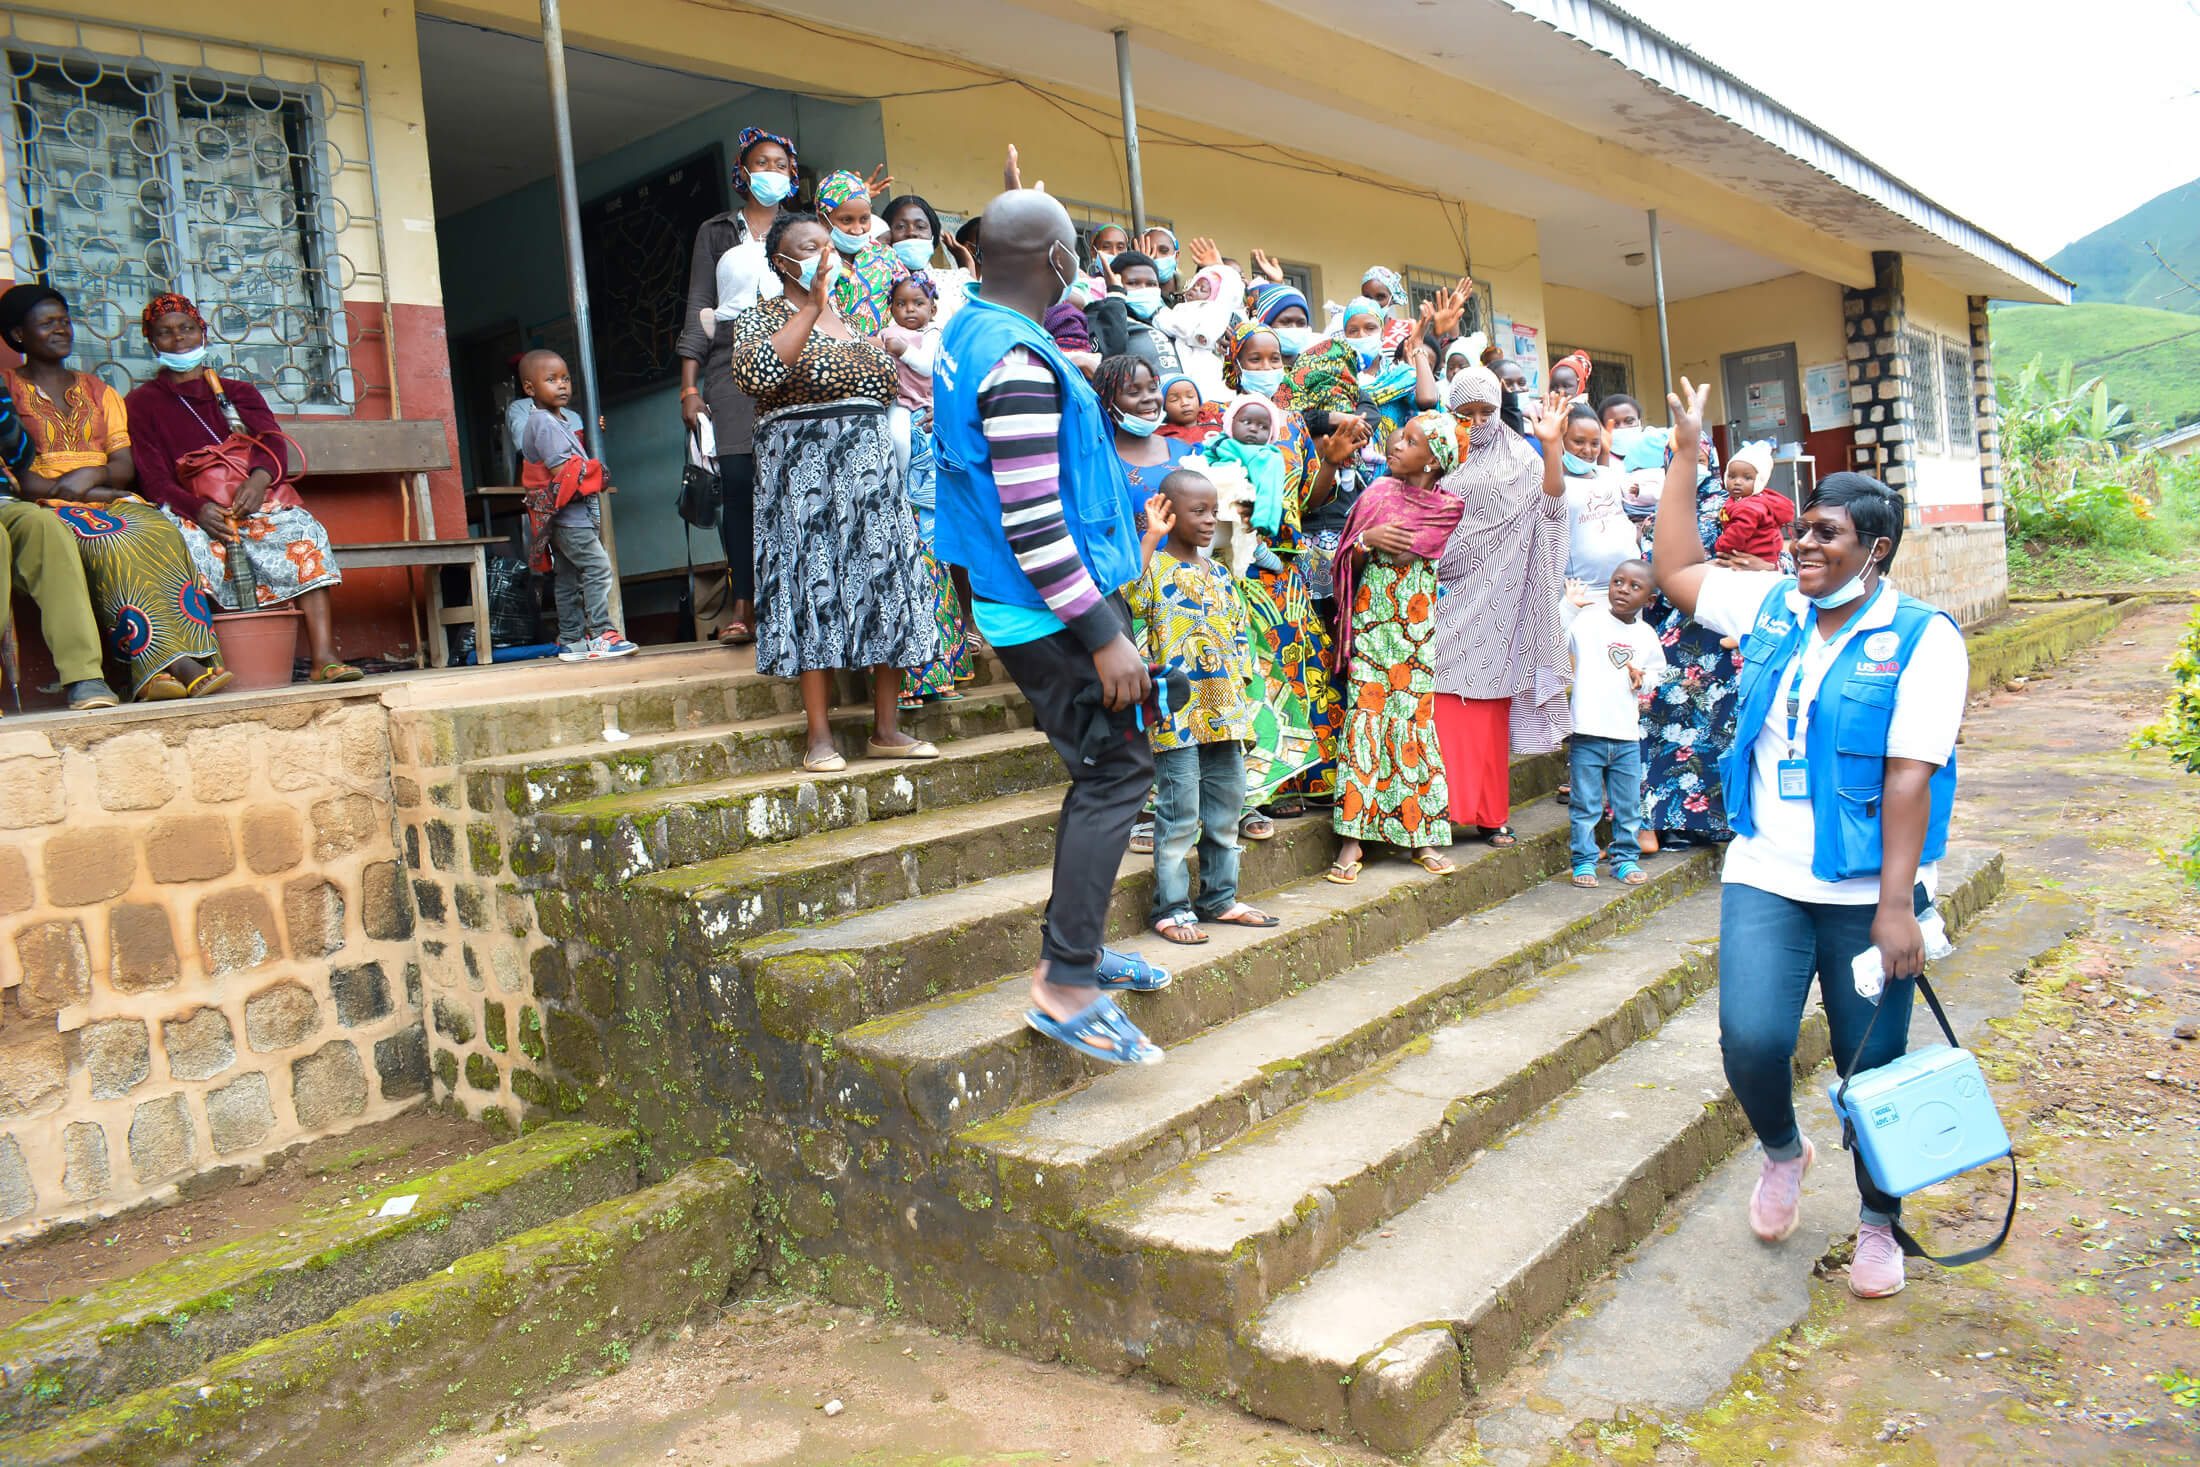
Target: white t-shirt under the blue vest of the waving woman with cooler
{"points": [[1928, 712]]}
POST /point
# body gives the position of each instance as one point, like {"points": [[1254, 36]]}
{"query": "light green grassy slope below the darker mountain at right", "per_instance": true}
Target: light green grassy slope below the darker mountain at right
{"points": [[2150, 357]]}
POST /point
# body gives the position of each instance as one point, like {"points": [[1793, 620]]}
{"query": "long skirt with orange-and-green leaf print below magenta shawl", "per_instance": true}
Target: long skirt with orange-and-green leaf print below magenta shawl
{"points": [[1389, 769]]}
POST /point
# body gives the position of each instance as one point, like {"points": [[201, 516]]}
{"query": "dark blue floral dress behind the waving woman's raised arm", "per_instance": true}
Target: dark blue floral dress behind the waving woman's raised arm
{"points": [[1691, 718]]}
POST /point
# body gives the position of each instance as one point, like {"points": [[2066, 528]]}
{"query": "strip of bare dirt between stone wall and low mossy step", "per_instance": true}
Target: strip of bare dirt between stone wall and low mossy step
{"points": [[300, 1184]]}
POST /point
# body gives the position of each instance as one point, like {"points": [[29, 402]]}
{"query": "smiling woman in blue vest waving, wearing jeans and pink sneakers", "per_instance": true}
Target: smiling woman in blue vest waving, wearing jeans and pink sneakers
{"points": [[1838, 788]]}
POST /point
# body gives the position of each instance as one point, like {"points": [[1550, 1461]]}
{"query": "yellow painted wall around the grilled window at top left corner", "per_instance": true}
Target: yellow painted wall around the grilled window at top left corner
{"points": [[379, 38]]}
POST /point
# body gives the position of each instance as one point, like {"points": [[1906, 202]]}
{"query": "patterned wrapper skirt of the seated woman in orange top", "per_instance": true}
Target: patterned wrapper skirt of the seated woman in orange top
{"points": [[146, 591]]}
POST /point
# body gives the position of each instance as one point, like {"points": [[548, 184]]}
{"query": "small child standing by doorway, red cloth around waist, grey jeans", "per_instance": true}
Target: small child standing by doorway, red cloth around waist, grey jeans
{"points": [[555, 463]]}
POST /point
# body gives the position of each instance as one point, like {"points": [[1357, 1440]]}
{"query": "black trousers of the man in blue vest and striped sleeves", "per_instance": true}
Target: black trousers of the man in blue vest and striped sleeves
{"points": [[1108, 784]]}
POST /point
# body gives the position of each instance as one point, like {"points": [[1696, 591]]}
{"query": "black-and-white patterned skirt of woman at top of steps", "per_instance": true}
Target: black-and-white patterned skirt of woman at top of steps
{"points": [[841, 577]]}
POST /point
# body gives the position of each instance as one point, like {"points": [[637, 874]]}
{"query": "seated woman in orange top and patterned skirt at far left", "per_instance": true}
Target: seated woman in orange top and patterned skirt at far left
{"points": [[144, 588]]}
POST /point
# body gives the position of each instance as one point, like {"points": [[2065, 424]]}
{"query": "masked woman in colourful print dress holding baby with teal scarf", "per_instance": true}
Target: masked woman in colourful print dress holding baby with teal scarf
{"points": [[1290, 639]]}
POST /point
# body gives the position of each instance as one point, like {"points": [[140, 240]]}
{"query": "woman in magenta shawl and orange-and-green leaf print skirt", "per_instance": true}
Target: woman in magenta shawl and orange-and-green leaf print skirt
{"points": [[1389, 773]]}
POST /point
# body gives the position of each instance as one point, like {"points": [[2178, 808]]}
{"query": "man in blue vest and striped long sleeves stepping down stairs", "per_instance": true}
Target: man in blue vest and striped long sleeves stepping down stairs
{"points": [[1035, 505]]}
